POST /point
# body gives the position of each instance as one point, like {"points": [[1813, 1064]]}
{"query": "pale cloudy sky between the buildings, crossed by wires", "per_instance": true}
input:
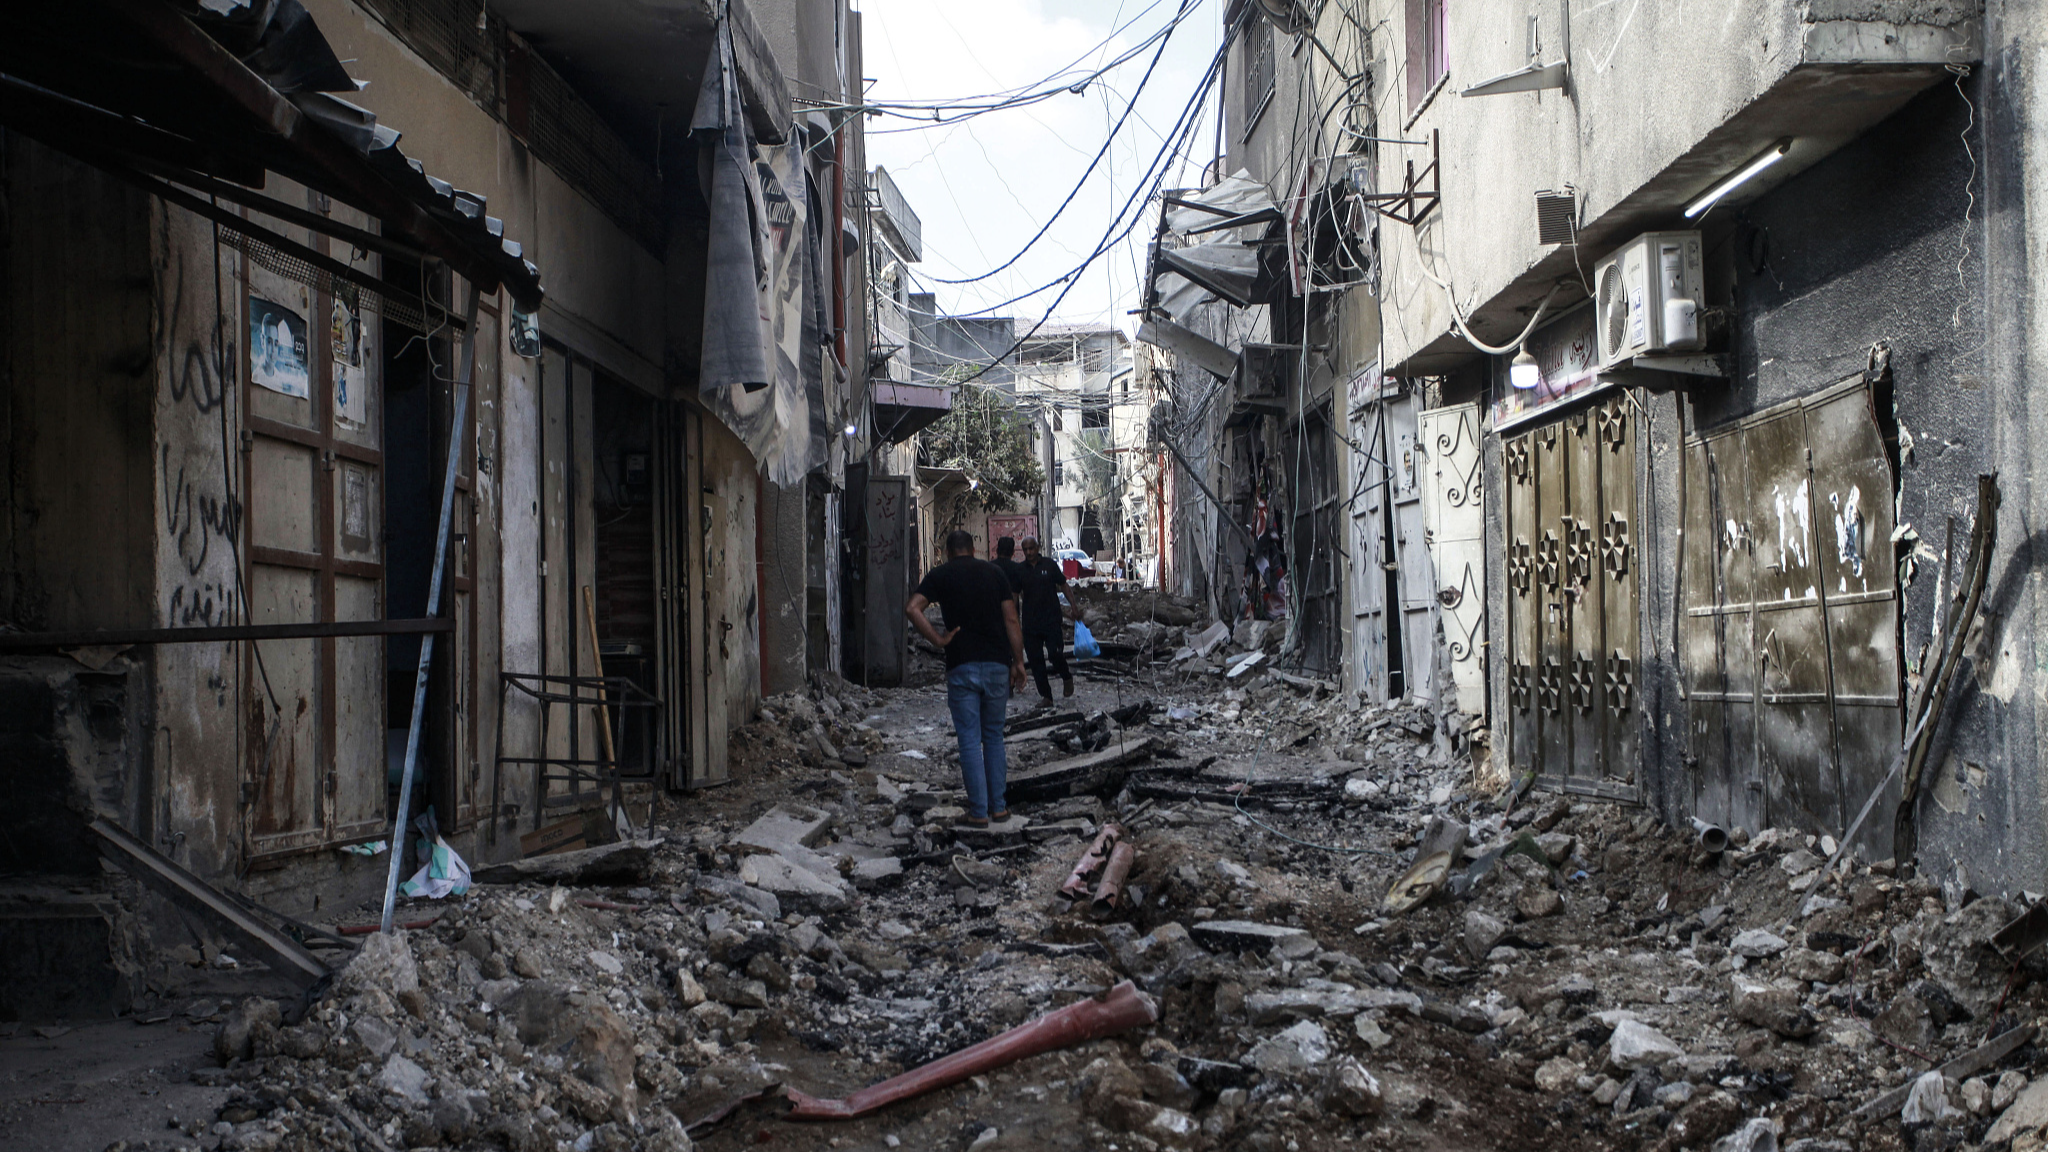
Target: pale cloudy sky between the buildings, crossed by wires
{"points": [[986, 186]]}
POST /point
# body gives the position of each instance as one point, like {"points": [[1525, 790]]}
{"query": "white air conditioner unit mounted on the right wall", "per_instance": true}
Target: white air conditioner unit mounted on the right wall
{"points": [[1650, 298]]}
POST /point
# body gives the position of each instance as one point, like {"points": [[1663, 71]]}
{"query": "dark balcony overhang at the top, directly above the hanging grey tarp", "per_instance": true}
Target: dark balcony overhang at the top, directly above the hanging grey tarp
{"points": [[636, 58]]}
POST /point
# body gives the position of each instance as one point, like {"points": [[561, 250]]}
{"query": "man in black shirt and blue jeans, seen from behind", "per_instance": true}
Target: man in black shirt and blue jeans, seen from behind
{"points": [[984, 661]]}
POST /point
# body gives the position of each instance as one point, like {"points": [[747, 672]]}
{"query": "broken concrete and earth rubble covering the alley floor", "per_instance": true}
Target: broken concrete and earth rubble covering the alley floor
{"points": [[1572, 973]]}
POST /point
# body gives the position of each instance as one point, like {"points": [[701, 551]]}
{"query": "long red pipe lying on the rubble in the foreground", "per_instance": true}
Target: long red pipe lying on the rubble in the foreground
{"points": [[1119, 1010]]}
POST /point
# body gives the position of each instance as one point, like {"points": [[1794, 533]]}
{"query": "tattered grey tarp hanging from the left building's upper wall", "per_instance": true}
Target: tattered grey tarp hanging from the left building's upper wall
{"points": [[753, 374]]}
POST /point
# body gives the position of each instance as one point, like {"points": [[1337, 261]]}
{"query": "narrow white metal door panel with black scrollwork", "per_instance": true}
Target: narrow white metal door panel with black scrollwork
{"points": [[1451, 511]]}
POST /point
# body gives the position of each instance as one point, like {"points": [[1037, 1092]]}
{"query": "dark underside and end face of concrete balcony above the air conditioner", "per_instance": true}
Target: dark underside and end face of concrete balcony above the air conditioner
{"points": [[1854, 75]]}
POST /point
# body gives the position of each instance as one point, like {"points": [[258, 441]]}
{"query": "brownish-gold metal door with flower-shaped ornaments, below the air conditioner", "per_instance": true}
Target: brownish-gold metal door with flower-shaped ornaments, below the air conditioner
{"points": [[1572, 602]]}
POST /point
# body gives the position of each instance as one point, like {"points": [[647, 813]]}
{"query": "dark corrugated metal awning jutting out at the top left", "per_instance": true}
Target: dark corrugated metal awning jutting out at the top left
{"points": [[173, 87]]}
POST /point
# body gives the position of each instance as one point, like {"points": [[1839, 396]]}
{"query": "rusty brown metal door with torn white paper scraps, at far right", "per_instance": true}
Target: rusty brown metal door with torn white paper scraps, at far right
{"points": [[1791, 634]]}
